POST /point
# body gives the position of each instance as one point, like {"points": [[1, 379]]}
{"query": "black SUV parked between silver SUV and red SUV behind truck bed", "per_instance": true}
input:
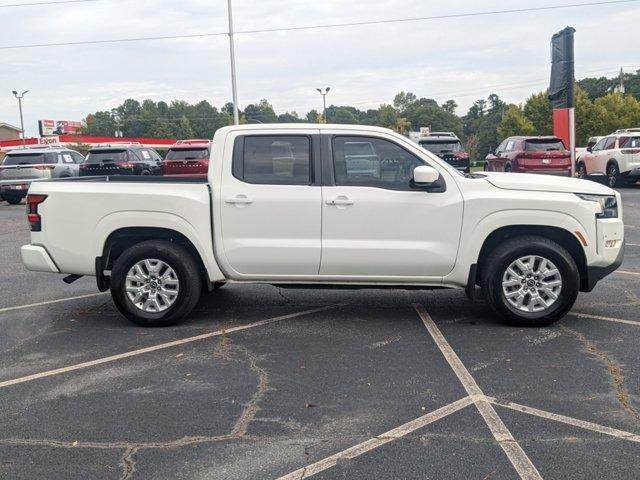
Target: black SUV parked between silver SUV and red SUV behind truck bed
{"points": [[121, 159]]}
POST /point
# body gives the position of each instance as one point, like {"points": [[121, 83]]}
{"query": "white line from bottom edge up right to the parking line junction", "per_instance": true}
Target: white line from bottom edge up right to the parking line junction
{"points": [[378, 441]]}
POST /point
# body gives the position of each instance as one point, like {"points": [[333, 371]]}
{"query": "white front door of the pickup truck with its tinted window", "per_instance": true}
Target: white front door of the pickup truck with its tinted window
{"points": [[372, 231]]}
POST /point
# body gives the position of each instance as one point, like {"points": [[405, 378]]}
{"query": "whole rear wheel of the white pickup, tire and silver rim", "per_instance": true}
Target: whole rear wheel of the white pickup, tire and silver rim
{"points": [[155, 283]]}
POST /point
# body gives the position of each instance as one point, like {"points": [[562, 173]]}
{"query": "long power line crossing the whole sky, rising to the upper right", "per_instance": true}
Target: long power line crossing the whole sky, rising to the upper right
{"points": [[328, 25]]}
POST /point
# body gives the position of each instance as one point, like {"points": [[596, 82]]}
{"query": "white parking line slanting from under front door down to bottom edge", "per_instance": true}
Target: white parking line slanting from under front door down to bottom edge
{"points": [[518, 458]]}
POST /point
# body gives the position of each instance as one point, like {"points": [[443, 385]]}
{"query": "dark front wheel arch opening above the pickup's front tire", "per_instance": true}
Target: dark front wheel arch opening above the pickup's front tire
{"points": [[559, 235]]}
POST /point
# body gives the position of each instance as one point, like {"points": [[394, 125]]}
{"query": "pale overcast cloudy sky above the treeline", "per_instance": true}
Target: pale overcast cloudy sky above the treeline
{"points": [[460, 58]]}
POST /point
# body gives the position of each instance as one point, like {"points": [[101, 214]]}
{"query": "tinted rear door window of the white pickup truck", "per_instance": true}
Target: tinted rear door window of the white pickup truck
{"points": [[274, 160]]}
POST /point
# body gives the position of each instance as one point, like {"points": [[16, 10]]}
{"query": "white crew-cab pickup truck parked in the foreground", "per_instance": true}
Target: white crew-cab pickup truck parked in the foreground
{"points": [[292, 205]]}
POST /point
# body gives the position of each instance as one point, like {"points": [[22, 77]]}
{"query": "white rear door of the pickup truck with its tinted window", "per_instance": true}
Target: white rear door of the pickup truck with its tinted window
{"points": [[272, 229]]}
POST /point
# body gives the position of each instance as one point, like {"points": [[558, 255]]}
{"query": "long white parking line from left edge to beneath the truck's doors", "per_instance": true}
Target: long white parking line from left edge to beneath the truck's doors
{"points": [[133, 353]]}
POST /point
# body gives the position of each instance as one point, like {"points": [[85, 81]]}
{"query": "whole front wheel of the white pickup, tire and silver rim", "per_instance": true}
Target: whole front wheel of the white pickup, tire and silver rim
{"points": [[530, 281]]}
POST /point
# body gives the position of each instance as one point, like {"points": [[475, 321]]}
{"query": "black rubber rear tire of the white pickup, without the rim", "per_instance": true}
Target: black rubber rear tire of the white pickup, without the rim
{"points": [[186, 270]]}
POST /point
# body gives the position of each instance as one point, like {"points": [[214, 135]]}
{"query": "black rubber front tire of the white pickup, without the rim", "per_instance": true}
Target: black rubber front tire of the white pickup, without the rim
{"points": [[496, 264]]}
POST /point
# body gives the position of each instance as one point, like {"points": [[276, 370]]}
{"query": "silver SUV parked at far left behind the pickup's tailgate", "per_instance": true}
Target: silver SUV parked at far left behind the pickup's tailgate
{"points": [[23, 166]]}
